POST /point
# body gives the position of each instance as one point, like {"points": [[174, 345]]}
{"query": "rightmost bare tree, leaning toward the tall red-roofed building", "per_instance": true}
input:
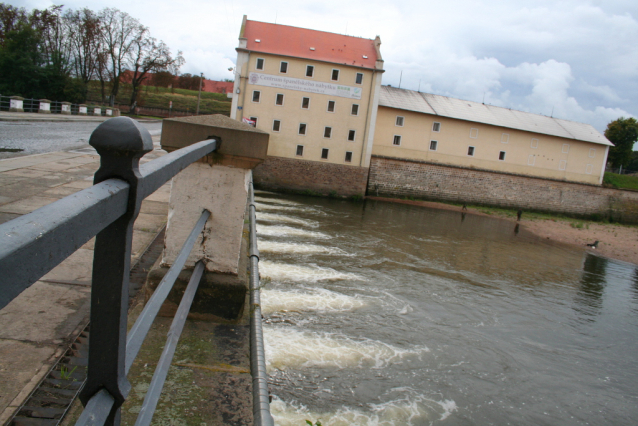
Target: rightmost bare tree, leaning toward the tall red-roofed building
{"points": [[150, 55]]}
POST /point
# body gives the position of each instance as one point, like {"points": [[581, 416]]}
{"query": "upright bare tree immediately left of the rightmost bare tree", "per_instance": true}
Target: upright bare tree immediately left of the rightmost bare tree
{"points": [[121, 31]]}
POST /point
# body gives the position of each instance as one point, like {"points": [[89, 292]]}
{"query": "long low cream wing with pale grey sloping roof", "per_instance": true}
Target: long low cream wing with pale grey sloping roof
{"points": [[431, 128]]}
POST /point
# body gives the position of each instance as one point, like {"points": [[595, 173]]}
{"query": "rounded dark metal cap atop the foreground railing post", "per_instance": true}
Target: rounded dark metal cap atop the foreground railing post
{"points": [[121, 135]]}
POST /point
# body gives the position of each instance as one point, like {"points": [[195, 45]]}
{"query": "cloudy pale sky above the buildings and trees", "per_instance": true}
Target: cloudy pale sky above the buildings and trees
{"points": [[575, 59]]}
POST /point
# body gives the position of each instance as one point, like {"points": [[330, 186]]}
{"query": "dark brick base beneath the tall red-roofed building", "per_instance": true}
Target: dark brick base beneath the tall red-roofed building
{"points": [[280, 173]]}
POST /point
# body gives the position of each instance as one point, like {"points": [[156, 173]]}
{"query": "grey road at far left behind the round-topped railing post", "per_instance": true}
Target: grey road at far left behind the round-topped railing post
{"points": [[18, 138]]}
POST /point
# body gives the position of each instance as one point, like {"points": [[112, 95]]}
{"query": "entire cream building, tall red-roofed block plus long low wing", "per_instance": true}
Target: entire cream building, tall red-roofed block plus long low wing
{"points": [[320, 97]]}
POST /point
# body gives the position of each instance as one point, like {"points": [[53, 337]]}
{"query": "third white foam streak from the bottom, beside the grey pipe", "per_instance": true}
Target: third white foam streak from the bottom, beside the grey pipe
{"points": [[320, 300]]}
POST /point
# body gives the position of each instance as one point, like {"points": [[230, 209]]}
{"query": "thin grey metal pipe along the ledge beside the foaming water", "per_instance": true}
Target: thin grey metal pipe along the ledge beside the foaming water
{"points": [[261, 398]]}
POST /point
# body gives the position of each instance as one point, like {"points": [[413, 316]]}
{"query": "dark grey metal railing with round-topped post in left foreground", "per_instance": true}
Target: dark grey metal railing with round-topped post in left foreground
{"points": [[33, 244]]}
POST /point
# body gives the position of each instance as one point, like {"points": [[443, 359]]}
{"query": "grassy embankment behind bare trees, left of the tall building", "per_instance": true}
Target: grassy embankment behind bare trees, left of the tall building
{"points": [[159, 97]]}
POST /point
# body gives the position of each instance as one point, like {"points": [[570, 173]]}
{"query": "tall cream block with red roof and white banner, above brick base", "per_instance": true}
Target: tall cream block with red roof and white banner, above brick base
{"points": [[316, 93]]}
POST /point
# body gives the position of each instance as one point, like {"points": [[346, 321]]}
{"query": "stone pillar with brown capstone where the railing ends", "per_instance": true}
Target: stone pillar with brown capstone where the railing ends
{"points": [[218, 183]]}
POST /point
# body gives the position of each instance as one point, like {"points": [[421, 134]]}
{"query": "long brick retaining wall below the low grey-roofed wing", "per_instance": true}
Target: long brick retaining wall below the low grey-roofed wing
{"points": [[393, 177]]}
